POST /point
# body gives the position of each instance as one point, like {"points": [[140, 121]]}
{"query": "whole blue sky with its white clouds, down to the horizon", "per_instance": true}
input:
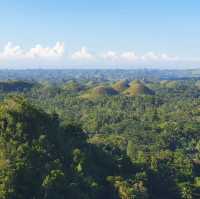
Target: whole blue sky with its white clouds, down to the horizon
{"points": [[100, 34]]}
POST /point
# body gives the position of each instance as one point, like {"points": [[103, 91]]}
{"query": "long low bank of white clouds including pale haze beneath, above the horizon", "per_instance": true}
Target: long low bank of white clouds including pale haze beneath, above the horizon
{"points": [[15, 55]]}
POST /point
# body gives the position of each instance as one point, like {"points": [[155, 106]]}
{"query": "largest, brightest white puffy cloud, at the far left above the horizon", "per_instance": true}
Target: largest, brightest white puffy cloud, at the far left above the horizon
{"points": [[11, 51]]}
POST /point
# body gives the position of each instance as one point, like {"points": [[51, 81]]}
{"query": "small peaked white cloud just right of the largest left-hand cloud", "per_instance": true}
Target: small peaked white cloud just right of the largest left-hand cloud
{"points": [[82, 54]]}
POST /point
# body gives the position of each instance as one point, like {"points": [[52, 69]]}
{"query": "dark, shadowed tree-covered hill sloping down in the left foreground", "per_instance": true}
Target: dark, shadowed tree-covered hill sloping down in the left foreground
{"points": [[40, 158]]}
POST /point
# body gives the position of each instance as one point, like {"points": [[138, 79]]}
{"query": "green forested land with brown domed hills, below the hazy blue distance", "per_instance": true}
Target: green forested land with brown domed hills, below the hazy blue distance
{"points": [[121, 139]]}
